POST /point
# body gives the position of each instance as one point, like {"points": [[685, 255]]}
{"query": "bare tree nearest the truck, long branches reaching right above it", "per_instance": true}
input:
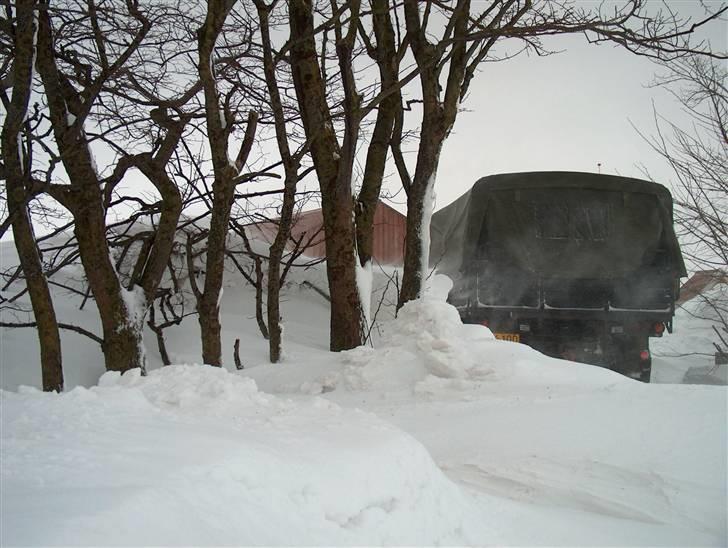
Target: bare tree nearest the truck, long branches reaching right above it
{"points": [[449, 60]]}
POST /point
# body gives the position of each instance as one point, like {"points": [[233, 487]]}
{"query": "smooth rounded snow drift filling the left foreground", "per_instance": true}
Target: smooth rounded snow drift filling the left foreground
{"points": [[195, 455]]}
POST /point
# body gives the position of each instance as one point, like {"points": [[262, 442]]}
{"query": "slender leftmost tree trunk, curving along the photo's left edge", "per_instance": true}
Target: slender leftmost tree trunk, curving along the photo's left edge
{"points": [[17, 176]]}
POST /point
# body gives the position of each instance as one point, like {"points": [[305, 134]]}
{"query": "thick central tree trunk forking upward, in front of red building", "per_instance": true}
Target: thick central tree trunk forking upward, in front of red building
{"points": [[333, 166]]}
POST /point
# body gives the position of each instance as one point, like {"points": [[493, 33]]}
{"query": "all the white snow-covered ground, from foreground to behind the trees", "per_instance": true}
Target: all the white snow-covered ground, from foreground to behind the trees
{"points": [[435, 434]]}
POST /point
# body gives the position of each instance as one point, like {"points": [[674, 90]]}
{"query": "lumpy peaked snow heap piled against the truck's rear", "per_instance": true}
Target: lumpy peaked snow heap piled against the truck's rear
{"points": [[428, 349]]}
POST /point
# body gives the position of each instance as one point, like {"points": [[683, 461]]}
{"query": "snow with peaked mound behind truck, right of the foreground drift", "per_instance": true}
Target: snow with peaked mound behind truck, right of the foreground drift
{"points": [[560, 453]]}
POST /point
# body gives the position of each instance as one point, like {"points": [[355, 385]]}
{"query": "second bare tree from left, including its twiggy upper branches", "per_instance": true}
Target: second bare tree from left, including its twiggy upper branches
{"points": [[81, 60]]}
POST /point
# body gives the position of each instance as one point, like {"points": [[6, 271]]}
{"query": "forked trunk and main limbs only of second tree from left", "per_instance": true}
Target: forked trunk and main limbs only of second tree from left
{"points": [[121, 311]]}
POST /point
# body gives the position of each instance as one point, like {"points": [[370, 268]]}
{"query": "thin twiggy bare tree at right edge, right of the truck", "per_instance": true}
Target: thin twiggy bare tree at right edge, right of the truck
{"points": [[698, 157]]}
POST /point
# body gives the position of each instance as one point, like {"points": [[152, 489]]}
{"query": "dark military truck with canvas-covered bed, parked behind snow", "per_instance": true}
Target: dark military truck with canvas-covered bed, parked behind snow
{"points": [[580, 266]]}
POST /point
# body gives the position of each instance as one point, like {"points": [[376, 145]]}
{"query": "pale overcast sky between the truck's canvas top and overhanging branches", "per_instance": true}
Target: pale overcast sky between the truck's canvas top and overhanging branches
{"points": [[567, 111]]}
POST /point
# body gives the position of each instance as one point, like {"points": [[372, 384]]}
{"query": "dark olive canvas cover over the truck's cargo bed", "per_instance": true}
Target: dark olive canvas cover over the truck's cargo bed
{"points": [[557, 224]]}
